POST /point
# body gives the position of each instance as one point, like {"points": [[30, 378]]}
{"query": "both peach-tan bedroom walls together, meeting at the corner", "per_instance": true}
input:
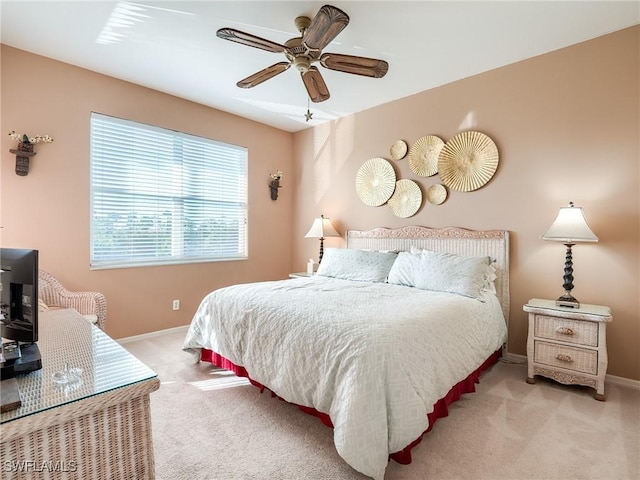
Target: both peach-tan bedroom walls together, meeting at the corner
{"points": [[566, 125]]}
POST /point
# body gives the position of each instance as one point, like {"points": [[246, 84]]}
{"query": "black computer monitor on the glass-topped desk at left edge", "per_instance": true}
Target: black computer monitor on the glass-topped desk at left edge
{"points": [[19, 311]]}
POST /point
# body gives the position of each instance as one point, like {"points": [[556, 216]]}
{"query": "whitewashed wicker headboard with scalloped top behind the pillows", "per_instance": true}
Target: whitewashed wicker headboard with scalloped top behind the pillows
{"points": [[492, 243]]}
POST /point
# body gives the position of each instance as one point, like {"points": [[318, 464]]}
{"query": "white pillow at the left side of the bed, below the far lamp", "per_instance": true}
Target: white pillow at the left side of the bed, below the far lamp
{"points": [[361, 265]]}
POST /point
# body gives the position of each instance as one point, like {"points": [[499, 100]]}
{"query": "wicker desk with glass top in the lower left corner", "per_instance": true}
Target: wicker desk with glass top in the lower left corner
{"points": [[98, 426]]}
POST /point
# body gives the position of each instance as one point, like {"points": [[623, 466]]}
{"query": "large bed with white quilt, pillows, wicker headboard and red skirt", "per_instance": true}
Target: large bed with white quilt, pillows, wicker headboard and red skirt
{"points": [[389, 332]]}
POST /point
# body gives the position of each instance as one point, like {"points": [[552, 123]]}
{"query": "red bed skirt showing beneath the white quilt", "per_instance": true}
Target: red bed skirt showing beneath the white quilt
{"points": [[440, 409]]}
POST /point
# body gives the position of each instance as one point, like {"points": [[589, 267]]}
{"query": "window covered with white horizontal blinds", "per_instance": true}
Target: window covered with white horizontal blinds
{"points": [[162, 197]]}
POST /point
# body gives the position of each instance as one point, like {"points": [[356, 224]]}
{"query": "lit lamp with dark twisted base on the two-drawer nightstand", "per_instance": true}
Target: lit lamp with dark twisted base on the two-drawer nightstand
{"points": [[569, 227]]}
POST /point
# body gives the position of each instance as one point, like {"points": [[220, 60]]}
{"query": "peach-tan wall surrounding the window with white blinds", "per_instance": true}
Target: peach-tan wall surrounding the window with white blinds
{"points": [[49, 208]]}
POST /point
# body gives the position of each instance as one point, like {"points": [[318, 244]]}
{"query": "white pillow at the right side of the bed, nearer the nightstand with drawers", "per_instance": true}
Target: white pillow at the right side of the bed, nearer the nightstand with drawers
{"points": [[442, 272]]}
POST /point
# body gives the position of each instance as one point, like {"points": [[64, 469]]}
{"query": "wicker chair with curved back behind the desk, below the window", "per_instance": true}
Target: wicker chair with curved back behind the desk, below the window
{"points": [[53, 294]]}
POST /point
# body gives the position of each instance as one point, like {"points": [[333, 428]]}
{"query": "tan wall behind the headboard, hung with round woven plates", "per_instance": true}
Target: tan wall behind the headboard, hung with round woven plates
{"points": [[567, 128]]}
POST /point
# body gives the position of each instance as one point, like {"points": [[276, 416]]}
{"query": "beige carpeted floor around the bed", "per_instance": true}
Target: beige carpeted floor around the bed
{"points": [[209, 425]]}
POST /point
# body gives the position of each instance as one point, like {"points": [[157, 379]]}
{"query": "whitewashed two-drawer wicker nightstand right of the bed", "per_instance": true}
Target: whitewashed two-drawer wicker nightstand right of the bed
{"points": [[568, 345]]}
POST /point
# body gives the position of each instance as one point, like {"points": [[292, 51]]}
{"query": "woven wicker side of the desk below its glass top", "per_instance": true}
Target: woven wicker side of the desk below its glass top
{"points": [[112, 441]]}
